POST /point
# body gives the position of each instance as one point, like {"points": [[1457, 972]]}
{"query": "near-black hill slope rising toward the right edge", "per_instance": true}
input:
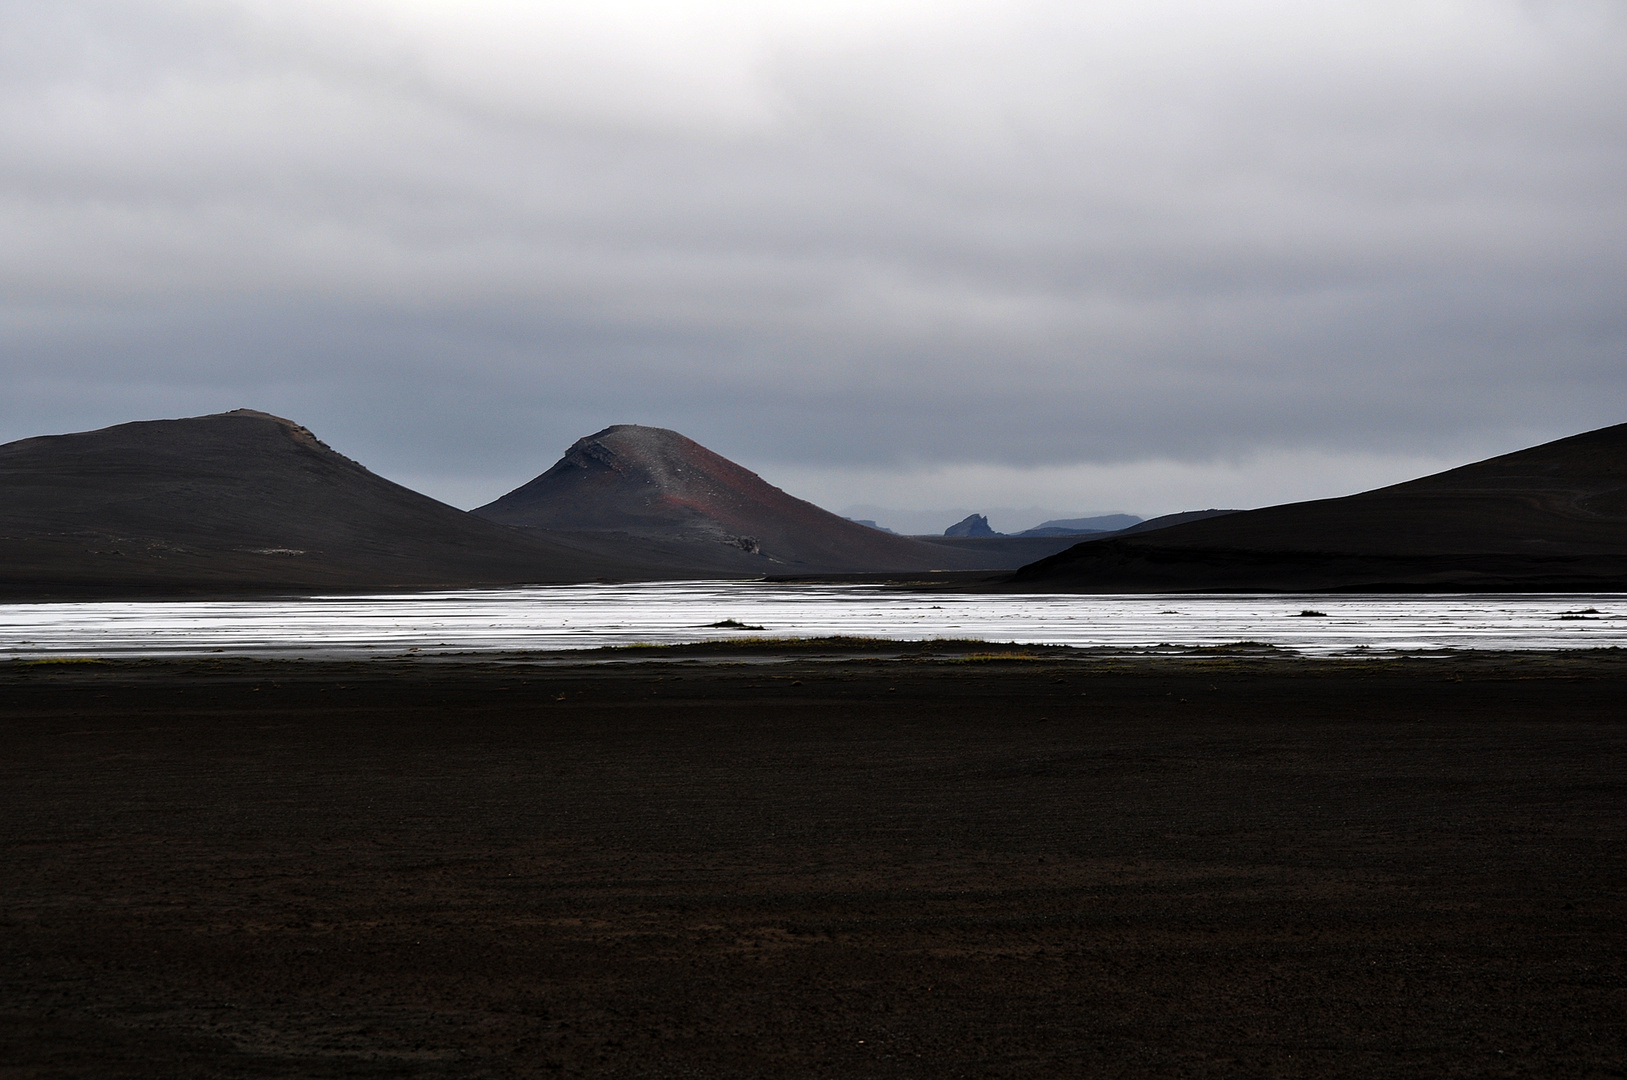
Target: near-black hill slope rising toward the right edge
{"points": [[1553, 516]]}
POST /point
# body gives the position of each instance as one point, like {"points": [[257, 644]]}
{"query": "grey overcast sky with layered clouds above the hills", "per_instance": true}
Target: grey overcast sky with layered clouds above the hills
{"points": [[1141, 256]]}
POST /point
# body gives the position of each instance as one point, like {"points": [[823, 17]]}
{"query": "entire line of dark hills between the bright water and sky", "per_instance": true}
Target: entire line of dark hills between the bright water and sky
{"points": [[250, 502]]}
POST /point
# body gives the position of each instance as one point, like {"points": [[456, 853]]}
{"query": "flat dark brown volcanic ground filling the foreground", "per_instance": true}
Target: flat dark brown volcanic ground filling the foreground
{"points": [[870, 868]]}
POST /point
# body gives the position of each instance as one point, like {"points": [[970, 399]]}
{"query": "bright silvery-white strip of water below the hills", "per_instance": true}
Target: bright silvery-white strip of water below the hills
{"points": [[583, 617]]}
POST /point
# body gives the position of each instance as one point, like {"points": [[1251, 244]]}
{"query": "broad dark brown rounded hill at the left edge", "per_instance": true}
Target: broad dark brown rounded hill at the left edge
{"points": [[245, 500]]}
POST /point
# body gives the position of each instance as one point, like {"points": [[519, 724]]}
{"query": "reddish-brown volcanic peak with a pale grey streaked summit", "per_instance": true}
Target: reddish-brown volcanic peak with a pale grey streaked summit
{"points": [[656, 486]]}
